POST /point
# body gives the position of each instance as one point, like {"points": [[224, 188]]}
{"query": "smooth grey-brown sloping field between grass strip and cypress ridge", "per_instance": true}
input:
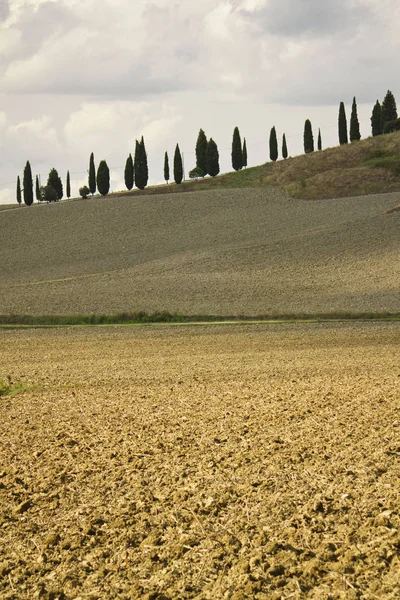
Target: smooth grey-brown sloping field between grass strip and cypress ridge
{"points": [[224, 252]]}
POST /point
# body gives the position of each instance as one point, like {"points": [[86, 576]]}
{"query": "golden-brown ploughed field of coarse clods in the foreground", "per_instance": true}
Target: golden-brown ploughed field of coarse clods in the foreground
{"points": [[201, 462]]}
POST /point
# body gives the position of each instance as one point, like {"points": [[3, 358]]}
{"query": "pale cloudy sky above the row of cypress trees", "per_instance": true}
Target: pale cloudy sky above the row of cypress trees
{"points": [[82, 76]]}
